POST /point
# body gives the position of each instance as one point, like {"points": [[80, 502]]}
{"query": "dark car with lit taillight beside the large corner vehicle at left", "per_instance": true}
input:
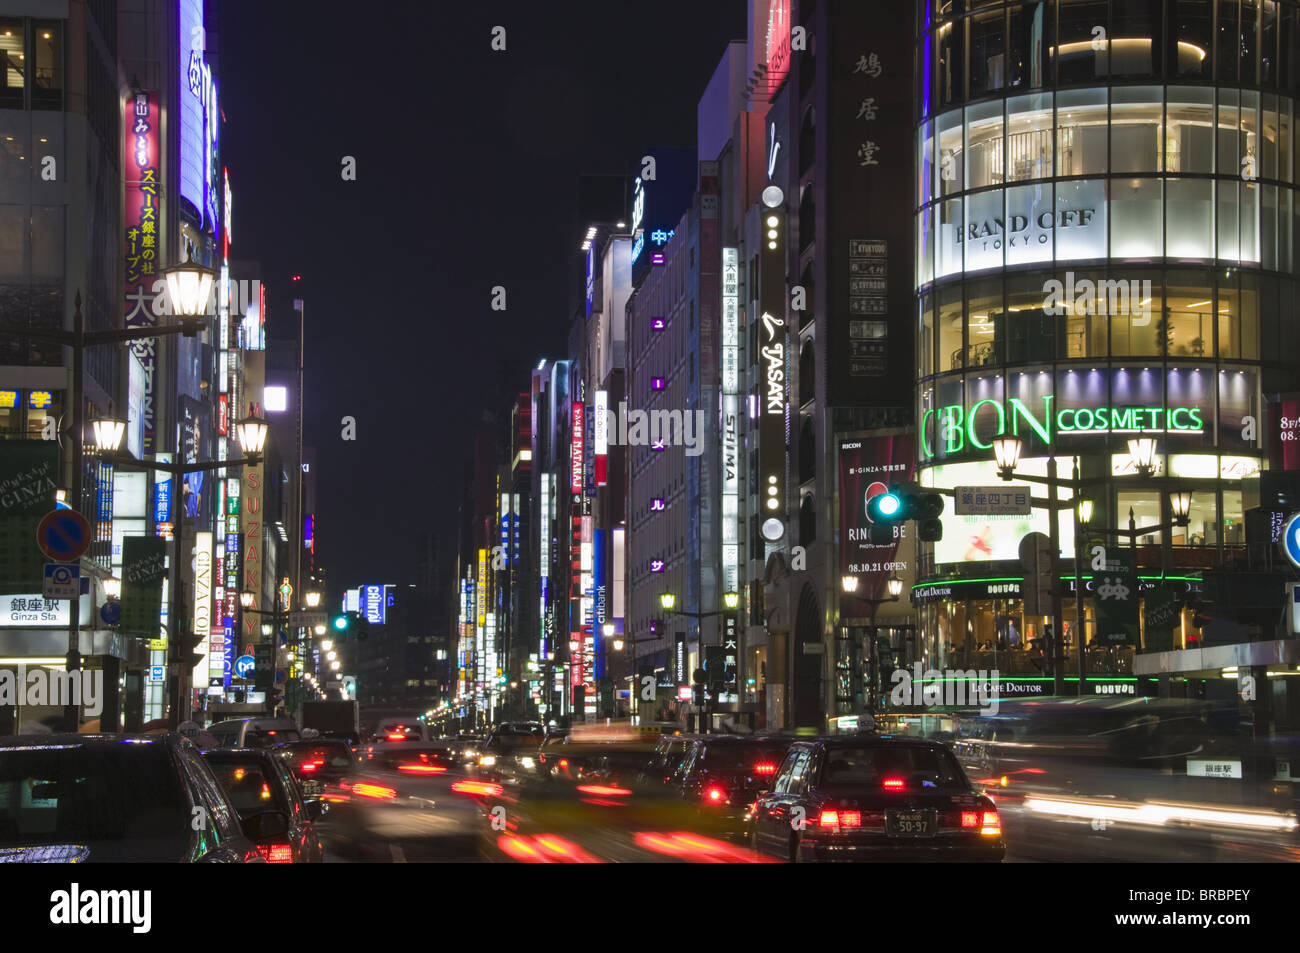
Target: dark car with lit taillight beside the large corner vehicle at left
{"points": [[271, 807]]}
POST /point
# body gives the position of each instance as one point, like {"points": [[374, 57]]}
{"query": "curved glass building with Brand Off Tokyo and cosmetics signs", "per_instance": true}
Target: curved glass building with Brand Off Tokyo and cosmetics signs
{"points": [[1106, 233]]}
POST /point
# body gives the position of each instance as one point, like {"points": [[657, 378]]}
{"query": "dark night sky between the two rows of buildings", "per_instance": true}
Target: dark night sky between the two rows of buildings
{"points": [[467, 167]]}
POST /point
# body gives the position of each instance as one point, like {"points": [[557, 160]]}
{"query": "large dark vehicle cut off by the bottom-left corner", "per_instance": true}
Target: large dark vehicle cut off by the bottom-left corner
{"points": [[116, 799]]}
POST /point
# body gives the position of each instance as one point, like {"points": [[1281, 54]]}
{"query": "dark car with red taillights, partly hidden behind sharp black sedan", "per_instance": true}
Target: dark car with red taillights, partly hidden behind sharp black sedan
{"points": [[723, 774]]}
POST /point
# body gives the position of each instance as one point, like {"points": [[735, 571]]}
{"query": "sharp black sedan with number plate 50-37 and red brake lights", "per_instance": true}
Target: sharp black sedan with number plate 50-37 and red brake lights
{"points": [[874, 799]]}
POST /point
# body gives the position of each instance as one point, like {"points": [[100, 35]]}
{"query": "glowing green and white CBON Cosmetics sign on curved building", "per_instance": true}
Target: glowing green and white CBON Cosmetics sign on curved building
{"points": [[952, 428]]}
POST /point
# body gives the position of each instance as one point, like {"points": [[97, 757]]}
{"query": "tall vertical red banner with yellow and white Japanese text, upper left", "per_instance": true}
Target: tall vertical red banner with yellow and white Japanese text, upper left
{"points": [[142, 223]]}
